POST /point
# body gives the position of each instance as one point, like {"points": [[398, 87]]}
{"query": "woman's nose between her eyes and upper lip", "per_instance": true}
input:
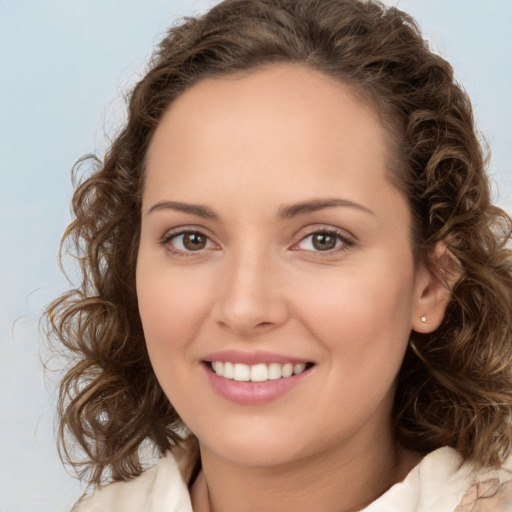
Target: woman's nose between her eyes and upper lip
{"points": [[251, 299]]}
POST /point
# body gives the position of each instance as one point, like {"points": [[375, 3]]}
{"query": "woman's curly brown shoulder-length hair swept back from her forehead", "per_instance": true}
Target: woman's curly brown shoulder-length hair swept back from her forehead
{"points": [[454, 387]]}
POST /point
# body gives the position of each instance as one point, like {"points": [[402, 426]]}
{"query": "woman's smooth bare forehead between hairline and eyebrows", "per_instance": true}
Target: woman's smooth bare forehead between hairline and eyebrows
{"points": [[284, 125]]}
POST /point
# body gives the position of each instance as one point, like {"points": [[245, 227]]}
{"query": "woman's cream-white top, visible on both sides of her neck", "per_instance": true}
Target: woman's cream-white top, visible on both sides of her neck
{"points": [[437, 484]]}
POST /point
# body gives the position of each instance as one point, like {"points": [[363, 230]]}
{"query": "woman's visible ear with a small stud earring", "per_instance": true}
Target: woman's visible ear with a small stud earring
{"points": [[433, 291]]}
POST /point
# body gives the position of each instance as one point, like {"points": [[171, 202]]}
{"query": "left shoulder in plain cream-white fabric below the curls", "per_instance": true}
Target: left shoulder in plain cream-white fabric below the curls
{"points": [[158, 489]]}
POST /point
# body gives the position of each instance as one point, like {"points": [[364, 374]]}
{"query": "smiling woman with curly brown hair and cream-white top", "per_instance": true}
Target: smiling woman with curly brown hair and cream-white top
{"points": [[296, 288]]}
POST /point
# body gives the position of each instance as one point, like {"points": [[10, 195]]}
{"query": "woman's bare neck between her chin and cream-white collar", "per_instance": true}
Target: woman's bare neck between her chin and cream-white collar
{"points": [[331, 482]]}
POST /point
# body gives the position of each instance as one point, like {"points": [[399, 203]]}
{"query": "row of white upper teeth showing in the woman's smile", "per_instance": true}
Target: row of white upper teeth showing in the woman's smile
{"points": [[256, 373]]}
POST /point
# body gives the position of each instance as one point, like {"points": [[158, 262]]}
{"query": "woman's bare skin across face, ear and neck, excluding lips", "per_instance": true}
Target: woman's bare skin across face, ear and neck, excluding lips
{"points": [[246, 146]]}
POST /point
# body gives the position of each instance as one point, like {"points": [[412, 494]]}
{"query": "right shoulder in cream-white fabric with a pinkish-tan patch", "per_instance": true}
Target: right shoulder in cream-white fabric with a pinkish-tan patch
{"points": [[442, 482]]}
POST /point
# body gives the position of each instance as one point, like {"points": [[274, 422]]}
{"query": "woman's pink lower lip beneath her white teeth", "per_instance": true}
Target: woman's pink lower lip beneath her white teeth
{"points": [[253, 393]]}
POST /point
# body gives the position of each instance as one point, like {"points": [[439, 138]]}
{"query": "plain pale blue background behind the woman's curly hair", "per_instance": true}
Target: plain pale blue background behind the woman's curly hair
{"points": [[64, 65]]}
